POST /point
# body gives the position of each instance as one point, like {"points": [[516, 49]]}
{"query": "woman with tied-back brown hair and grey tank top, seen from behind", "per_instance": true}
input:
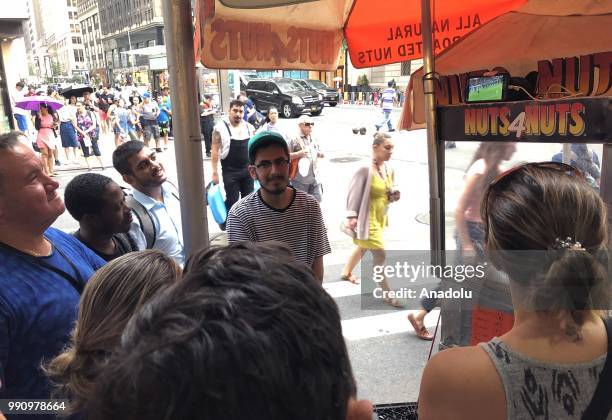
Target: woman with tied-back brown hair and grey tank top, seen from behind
{"points": [[545, 227]]}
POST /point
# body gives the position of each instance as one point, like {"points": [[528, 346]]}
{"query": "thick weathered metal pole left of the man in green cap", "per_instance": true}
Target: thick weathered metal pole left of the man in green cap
{"points": [[187, 139]]}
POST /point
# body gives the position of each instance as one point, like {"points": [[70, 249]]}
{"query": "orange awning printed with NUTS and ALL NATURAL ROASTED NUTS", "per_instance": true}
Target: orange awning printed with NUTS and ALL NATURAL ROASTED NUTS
{"points": [[307, 35]]}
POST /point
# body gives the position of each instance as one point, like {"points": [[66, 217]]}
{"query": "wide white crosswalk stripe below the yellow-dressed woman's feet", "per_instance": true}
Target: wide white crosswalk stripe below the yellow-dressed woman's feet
{"points": [[385, 324]]}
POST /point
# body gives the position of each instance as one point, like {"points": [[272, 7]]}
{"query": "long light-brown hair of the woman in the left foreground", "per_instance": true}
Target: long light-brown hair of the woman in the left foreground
{"points": [[110, 298]]}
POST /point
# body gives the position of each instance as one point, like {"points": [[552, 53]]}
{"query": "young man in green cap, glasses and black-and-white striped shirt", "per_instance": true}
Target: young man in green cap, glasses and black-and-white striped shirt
{"points": [[277, 211]]}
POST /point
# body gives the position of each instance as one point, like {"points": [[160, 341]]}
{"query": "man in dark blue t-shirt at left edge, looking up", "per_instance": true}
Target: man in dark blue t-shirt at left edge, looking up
{"points": [[42, 272]]}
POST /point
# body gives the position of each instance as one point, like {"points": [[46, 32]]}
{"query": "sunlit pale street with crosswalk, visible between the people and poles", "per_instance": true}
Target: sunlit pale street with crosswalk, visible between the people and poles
{"points": [[387, 357]]}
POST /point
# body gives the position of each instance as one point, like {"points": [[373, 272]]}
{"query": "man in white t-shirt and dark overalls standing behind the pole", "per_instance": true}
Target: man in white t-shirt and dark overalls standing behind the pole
{"points": [[230, 145]]}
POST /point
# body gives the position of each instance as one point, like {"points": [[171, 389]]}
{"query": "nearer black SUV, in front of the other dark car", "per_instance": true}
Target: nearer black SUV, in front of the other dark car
{"points": [[286, 95]]}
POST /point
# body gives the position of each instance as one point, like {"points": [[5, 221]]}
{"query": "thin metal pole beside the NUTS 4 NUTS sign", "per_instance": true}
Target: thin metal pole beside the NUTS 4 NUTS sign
{"points": [[436, 204]]}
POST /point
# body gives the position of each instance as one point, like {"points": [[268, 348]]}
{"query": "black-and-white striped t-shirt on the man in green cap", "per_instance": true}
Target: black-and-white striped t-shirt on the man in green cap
{"points": [[300, 225]]}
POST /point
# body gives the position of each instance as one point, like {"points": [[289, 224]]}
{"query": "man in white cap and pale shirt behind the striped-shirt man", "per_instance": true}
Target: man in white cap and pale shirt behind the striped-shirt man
{"points": [[305, 148]]}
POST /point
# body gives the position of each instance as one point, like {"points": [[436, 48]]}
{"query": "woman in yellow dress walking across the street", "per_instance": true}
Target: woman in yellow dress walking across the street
{"points": [[370, 192]]}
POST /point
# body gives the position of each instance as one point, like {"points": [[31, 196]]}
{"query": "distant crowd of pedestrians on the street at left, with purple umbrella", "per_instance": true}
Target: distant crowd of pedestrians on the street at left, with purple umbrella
{"points": [[76, 120]]}
